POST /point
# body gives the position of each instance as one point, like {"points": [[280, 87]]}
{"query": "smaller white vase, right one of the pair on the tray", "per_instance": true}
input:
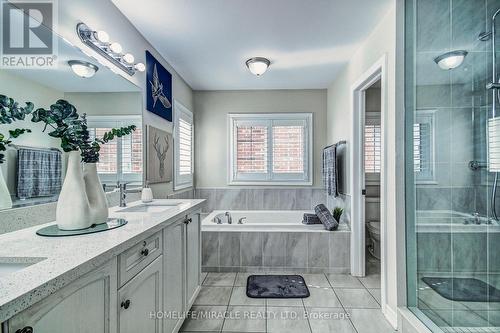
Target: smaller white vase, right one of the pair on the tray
{"points": [[95, 193]]}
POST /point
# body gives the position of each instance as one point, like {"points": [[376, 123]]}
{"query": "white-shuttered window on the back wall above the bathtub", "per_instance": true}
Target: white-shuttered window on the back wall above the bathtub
{"points": [[271, 148]]}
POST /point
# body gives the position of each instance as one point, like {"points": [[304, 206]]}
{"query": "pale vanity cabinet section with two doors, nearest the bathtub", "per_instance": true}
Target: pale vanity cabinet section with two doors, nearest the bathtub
{"points": [[182, 269]]}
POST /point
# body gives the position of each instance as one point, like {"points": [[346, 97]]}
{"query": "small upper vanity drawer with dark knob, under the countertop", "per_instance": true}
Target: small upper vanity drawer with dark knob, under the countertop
{"points": [[138, 257]]}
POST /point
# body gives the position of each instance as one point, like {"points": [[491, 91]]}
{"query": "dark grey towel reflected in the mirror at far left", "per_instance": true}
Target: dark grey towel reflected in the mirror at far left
{"points": [[38, 173]]}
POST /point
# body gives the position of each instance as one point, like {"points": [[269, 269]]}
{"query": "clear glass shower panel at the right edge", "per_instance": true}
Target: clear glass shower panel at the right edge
{"points": [[452, 160]]}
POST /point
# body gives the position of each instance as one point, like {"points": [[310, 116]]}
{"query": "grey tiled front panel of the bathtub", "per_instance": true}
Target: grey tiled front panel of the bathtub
{"points": [[307, 252]]}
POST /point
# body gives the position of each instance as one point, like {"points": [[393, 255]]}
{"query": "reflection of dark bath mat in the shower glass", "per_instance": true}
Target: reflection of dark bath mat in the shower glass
{"points": [[463, 289]]}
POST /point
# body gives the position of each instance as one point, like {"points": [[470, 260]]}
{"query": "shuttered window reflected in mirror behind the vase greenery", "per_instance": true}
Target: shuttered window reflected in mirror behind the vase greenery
{"points": [[121, 158]]}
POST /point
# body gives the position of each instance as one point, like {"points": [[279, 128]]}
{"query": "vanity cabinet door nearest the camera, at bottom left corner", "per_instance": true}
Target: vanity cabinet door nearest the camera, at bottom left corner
{"points": [[87, 305]]}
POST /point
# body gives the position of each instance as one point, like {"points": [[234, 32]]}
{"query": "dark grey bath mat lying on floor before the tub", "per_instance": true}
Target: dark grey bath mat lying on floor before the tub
{"points": [[276, 286]]}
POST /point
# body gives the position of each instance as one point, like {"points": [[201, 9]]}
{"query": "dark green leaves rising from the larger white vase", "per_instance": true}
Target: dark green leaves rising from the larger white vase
{"points": [[66, 124]]}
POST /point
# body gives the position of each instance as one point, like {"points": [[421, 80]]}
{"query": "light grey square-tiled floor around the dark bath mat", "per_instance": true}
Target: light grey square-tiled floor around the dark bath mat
{"points": [[338, 303]]}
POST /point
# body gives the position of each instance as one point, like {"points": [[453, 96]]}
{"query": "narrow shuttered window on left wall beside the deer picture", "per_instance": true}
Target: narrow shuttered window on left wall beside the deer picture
{"points": [[183, 136]]}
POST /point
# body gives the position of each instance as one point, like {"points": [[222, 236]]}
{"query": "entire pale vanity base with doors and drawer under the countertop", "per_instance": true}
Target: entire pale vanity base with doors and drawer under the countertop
{"points": [[145, 289]]}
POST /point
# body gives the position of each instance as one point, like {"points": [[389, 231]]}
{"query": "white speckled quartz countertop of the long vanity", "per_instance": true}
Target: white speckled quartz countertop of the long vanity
{"points": [[57, 261]]}
